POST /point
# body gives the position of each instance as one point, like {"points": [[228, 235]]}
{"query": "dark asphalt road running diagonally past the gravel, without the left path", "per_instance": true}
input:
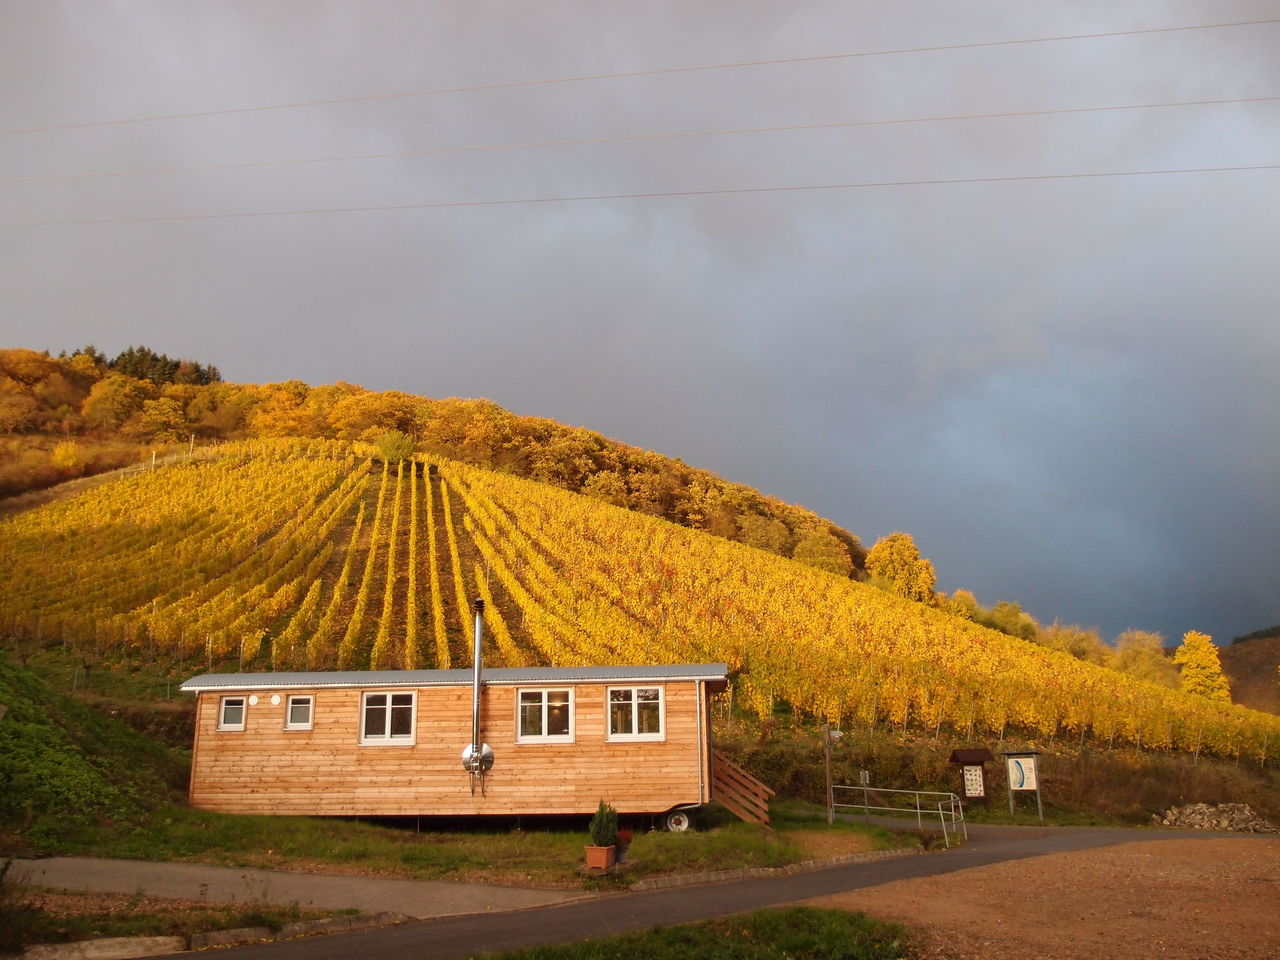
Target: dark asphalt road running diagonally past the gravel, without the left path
{"points": [[467, 936]]}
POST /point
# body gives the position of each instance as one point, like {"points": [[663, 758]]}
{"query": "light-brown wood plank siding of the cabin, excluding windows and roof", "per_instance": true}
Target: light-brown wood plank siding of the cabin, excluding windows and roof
{"points": [[327, 771]]}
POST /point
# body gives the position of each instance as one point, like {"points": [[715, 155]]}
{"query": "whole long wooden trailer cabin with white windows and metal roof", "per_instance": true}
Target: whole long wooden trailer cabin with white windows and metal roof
{"points": [[400, 743]]}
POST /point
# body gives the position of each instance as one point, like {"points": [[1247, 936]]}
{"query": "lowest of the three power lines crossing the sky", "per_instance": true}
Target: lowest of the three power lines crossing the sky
{"points": [[659, 195]]}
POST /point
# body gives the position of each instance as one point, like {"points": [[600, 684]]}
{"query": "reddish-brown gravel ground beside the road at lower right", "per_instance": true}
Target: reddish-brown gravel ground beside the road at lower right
{"points": [[1187, 899]]}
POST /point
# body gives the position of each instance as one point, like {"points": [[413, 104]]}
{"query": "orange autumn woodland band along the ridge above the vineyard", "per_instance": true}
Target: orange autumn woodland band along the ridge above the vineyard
{"points": [[79, 415]]}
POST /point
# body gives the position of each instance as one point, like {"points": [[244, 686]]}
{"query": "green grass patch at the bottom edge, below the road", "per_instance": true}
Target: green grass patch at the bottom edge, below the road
{"points": [[801, 934]]}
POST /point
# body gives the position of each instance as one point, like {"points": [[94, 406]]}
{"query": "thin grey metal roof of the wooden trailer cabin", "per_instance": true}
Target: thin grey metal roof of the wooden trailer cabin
{"points": [[454, 678]]}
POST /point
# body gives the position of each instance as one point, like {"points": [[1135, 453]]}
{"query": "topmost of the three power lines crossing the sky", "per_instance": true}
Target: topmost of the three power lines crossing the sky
{"points": [[628, 75]]}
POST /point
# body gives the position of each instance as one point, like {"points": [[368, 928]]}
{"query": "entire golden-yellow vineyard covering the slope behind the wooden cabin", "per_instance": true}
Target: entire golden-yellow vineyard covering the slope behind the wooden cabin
{"points": [[307, 555]]}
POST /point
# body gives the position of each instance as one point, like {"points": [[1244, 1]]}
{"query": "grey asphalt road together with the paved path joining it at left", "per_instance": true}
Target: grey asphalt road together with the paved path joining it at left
{"points": [[472, 920]]}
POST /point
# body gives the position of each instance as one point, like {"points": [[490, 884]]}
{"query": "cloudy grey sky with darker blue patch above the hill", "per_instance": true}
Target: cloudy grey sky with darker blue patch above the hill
{"points": [[991, 273]]}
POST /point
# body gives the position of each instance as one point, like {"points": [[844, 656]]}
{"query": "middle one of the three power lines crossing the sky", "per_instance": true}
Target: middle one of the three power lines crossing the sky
{"points": [[632, 139]]}
